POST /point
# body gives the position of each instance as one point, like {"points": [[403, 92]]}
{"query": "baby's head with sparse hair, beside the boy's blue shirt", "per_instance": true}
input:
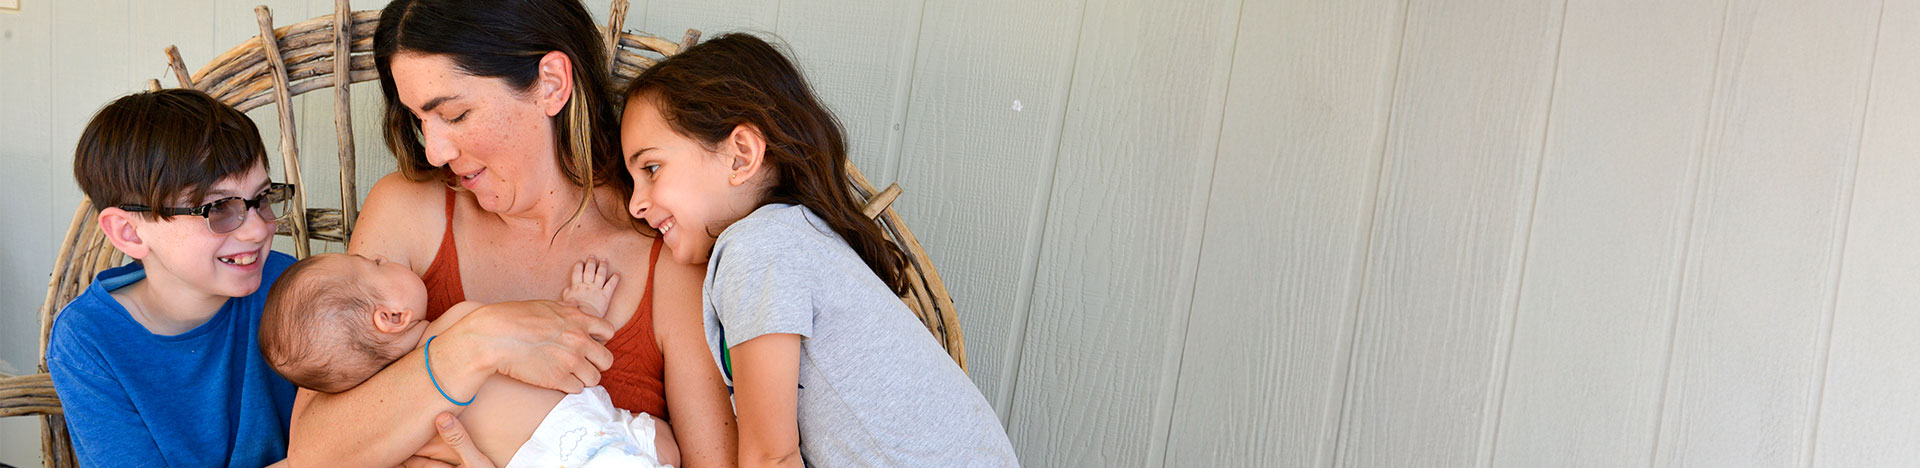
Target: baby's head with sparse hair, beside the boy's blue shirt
{"points": [[337, 319]]}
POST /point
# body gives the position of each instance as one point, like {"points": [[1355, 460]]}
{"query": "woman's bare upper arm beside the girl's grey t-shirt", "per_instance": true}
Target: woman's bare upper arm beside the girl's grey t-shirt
{"points": [[696, 396]]}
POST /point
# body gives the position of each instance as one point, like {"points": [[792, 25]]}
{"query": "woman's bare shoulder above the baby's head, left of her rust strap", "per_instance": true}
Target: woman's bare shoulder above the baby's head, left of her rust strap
{"points": [[402, 222]]}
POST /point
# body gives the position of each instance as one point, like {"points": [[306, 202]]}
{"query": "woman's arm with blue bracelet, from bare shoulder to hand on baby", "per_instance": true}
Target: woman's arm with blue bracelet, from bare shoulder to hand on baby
{"points": [[391, 415]]}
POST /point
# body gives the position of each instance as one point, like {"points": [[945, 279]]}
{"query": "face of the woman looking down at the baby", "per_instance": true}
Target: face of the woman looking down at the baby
{"points": [[496, 141]]}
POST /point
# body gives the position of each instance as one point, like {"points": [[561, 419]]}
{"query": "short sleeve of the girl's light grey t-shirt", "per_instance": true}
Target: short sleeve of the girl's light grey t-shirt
{"points": [[763, 281]]}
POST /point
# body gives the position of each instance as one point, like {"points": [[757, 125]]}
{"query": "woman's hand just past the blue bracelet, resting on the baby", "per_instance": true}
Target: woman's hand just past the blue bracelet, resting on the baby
{"points": [[540, 342]]}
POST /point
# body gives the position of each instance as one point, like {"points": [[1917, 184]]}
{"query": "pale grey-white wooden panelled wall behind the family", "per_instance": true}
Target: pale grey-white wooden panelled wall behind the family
{"points": [[1295, 233]]}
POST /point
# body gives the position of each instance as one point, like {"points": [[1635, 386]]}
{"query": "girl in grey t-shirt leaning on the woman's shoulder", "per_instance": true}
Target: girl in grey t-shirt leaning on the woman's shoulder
{"points": [[740, 168]]}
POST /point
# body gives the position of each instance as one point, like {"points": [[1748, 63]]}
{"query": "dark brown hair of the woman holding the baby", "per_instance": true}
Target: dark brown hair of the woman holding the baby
{"points": [[506, 39]]}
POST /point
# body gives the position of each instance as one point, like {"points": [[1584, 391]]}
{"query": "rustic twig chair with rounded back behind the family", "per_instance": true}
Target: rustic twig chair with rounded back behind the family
{"points": [[302, 60]]}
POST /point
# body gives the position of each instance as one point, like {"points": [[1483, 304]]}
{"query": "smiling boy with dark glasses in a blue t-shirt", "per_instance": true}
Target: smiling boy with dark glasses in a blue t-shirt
{"points": [[158, 362]]}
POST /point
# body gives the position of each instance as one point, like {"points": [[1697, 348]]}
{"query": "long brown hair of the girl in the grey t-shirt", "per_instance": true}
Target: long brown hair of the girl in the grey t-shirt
{"points": [[708, 91]]}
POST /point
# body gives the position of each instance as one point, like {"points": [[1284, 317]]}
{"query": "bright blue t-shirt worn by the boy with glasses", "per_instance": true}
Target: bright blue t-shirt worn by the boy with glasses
{"points": [[204, 398]]}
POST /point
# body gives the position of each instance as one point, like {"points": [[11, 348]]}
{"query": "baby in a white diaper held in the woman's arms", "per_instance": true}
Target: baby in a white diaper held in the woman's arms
{"points": [[337, 319]]}
